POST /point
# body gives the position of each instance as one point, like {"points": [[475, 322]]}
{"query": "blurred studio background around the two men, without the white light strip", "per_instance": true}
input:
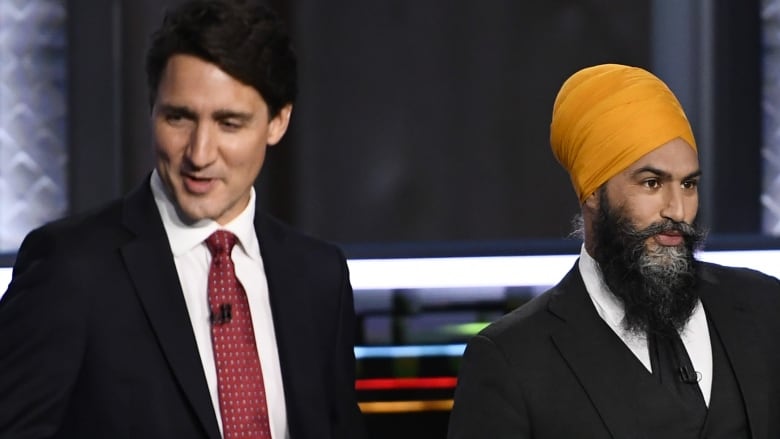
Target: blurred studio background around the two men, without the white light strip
{"points": [[421, 131]]}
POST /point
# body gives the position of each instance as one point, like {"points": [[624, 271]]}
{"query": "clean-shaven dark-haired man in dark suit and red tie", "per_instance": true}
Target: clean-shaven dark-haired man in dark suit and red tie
{"points": [[181, 310]]}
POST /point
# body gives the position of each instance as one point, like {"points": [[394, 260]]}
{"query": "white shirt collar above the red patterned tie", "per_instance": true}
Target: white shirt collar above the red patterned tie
{"points": [[184, 237]]}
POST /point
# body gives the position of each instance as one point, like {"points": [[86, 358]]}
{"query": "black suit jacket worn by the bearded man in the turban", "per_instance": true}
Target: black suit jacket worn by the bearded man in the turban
{"points": [[554, 369]]}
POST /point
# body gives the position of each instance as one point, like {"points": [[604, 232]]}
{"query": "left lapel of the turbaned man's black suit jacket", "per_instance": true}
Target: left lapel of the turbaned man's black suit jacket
{"points": [[589, 347]]}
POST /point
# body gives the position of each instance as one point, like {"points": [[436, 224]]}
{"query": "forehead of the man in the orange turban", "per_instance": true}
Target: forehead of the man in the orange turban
{"points": [[676, 158]]}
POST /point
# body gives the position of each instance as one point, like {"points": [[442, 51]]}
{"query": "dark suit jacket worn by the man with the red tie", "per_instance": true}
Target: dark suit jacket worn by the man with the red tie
{"points": [[96, 342]]}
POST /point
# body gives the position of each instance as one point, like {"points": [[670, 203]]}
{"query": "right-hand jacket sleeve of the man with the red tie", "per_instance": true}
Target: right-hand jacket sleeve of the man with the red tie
{"points": [[348, 420]]}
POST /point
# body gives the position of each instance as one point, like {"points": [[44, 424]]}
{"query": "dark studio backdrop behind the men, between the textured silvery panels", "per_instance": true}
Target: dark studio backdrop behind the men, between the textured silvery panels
{"points": [[422, 126]]}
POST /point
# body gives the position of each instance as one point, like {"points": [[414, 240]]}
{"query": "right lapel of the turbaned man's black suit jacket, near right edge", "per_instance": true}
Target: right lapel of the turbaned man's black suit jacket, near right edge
{"points": [[739, 333]]}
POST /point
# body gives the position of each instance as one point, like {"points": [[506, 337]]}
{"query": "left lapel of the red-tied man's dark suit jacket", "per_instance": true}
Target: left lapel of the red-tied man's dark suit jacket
{"points": [[152, 270]]}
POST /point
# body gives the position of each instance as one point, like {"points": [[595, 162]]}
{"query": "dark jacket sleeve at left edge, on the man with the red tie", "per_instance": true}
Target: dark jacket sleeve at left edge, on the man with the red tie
{"points": [[42, 327]]}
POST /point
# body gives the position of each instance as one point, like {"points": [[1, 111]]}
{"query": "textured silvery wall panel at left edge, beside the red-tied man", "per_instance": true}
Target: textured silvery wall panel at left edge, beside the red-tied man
{"points": [[33, 148]]}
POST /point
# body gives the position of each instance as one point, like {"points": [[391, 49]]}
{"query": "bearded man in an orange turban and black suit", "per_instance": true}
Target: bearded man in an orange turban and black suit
{"points": [[639, 340]]}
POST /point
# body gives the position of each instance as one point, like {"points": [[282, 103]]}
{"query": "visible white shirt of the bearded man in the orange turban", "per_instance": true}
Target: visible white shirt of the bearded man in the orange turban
{"points": [[695, 335]]}
